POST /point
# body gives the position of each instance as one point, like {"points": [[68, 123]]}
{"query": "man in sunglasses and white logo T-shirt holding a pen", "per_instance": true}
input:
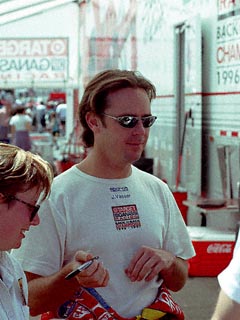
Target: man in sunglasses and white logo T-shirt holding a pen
{"points": [[108, 207]]}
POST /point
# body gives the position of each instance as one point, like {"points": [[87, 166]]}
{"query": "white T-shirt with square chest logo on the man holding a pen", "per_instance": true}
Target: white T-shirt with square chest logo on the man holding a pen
{"points": [[111, 218]]}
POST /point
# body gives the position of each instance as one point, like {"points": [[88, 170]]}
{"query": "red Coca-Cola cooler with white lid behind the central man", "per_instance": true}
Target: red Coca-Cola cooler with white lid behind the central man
{"points": [[214, 250]]}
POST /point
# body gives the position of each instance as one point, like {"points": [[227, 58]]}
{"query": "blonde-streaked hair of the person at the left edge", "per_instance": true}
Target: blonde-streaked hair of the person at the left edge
{"points": [[22, 170]]}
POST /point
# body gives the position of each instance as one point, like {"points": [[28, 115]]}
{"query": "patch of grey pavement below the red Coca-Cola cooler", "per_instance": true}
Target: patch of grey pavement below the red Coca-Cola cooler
{"points": [[198, 297]]}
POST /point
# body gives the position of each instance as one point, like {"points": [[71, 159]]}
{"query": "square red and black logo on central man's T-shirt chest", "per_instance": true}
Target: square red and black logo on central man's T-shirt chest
{"points": [[126, 217]]}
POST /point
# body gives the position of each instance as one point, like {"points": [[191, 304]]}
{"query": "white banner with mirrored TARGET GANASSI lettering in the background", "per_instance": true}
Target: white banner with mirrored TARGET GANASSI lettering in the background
{"points": [[34, 59]]}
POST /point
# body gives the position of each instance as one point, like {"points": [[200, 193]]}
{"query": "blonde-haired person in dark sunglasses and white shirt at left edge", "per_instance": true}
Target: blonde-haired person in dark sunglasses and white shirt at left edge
{"points": [[23, 176]]}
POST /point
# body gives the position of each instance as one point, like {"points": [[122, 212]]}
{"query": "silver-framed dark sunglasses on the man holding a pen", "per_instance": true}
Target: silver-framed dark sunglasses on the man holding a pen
{"points": [[131, 121]]}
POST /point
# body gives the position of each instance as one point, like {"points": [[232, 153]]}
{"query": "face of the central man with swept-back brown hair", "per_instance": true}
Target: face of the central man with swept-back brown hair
{"points": [[120, 145]]}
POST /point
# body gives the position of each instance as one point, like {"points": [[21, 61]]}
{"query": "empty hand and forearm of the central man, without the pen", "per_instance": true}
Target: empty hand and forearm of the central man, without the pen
{"points": [[149, 263]]}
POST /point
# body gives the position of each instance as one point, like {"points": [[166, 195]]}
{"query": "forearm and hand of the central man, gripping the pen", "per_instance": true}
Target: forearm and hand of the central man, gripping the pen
{"points": [[48, 293]]}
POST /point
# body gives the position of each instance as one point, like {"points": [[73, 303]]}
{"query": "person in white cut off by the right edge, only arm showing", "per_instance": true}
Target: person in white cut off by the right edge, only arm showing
{"points": [[228, 305]]}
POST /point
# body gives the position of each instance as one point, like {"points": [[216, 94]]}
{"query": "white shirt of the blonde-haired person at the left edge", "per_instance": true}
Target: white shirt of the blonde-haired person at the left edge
{"points": [[13, 289]]}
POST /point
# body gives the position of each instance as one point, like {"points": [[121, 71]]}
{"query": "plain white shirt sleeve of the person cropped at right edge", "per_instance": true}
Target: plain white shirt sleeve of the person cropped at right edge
{"points": [[229, 279]]}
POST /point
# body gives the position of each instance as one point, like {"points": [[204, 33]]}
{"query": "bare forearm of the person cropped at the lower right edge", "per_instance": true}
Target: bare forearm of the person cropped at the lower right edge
{"points": [[226, 308]]}
